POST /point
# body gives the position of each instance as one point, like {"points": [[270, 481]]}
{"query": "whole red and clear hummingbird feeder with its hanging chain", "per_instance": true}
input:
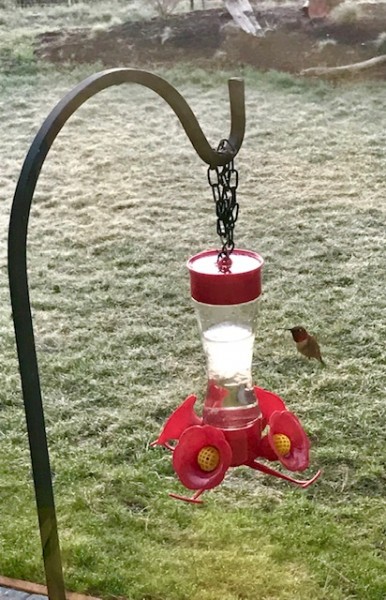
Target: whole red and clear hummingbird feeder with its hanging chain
{"points": [[240, 422]]}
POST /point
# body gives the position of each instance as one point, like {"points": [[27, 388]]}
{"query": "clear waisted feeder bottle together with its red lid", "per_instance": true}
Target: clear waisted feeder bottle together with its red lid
{"points": [[225, 293]]}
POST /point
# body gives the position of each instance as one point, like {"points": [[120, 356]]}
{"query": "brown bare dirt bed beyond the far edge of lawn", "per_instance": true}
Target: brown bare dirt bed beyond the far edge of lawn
{"points": [[291, 43]]}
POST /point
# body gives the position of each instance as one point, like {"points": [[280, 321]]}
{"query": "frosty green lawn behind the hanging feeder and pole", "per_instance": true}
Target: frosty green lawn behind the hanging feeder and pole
{"points": [[121, 203]]}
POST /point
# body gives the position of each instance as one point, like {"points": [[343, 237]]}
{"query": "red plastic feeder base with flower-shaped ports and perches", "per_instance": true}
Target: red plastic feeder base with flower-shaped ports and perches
{"points": [[204, 453]]}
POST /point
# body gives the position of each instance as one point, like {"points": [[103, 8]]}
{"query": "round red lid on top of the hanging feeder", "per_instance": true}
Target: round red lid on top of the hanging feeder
{"points": [[240, 282]]}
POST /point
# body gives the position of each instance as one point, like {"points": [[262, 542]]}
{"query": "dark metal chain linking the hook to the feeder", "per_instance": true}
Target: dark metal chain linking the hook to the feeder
{"points": [[224, 181]]}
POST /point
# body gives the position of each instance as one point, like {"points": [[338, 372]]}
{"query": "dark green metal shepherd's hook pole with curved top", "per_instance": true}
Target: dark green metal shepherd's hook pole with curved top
{"points": [[18, 280]]}
